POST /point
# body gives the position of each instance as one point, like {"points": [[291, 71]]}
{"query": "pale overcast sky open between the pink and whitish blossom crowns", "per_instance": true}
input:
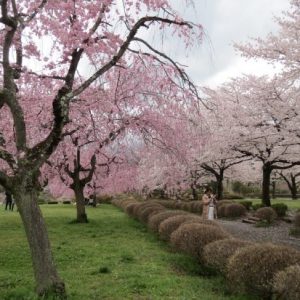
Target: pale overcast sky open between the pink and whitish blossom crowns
{"points": [[225, 22]]}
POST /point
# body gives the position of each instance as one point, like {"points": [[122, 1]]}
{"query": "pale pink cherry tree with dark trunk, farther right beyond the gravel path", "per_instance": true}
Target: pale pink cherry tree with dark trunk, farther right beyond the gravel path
{"points": [[261, 122]]}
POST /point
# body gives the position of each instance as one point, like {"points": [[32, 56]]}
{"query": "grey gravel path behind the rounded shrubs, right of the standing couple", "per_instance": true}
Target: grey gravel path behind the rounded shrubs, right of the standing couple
{"points": [[277, 234]]}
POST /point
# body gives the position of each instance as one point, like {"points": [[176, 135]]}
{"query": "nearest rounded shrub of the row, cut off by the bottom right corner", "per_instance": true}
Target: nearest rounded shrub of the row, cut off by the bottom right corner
{"points": [[286, 283]]}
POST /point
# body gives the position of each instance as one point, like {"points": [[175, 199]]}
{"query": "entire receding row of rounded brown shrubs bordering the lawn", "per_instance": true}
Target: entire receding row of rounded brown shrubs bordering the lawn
{"points": [[263, 270]]}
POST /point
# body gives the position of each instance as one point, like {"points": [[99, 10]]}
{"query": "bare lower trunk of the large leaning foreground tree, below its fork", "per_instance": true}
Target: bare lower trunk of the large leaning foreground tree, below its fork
{"points": [[48, 282]]}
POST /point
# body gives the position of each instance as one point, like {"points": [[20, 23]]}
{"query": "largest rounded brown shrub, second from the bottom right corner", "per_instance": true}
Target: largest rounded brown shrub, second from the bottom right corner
{"points": [[251, 269]]}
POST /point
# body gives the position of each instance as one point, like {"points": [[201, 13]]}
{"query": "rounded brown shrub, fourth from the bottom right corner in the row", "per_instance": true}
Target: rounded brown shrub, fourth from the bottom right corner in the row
{"points": [[193, 237]]}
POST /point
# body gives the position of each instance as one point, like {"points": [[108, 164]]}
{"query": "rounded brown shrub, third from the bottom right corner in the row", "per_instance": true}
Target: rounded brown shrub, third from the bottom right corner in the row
{"points": [[217, 254]]}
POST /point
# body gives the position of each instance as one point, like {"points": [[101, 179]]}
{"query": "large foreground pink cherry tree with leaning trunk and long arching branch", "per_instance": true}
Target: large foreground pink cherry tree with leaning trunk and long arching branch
{"points": [[40, 82]]}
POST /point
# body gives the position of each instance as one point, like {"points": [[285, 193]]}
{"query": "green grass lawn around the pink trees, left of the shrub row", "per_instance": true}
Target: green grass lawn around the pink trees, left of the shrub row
{"points": [[112, 257]]}
